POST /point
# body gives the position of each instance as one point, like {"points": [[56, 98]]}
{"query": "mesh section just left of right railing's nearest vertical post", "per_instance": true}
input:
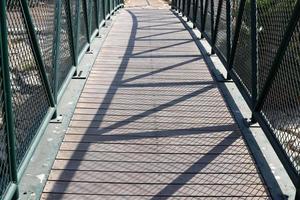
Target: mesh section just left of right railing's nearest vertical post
{"points": [[242, 60]]}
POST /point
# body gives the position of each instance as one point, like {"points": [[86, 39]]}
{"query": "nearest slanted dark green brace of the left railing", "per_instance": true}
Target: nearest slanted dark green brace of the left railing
{"points": [[37, 51]]}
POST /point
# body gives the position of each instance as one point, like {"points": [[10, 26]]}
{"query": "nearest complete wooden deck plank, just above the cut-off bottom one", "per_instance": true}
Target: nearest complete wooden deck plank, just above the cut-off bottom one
{"points": [[154, 189]]}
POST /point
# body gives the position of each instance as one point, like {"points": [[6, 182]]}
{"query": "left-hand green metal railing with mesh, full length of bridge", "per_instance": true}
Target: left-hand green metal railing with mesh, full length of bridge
{"points": [[41, 44]]}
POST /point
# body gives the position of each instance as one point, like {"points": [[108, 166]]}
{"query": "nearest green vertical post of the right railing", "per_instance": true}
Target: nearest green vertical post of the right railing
{"points": [[254, 59]]}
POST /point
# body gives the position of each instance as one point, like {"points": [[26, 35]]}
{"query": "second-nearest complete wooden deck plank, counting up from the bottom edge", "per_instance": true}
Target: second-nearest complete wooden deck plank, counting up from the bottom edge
{"points": [[144, 178]]}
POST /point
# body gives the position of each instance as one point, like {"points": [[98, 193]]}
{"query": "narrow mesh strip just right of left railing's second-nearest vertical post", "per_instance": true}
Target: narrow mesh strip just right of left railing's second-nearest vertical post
{"points": [[65, 56]]}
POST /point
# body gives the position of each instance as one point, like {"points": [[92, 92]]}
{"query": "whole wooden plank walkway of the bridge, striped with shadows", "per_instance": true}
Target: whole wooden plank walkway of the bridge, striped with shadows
{"points": [[151, 123]]}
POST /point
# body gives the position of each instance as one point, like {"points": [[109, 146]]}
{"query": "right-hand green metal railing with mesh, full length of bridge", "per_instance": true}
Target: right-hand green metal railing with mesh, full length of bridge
{"points": [[258, 42]]}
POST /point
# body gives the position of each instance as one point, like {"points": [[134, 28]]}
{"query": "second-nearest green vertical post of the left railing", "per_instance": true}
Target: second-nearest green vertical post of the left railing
{"points": [[56, 49]]}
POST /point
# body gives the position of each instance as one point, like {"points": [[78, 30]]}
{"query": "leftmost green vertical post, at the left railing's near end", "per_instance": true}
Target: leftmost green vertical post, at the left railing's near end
{"points": [[8, 96]]}
